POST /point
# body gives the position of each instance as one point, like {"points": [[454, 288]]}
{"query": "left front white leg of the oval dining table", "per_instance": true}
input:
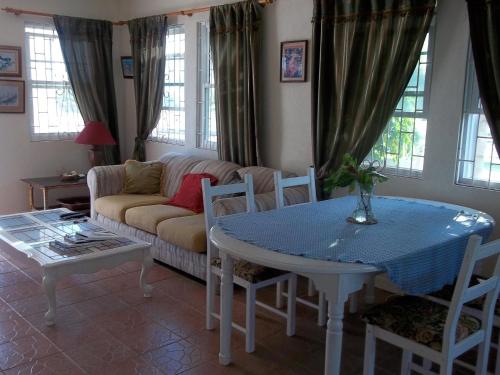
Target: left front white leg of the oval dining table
{"points": [[226, 305]]}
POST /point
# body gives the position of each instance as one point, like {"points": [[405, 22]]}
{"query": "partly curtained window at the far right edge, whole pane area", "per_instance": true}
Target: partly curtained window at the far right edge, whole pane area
{"points": [[478, 163]]}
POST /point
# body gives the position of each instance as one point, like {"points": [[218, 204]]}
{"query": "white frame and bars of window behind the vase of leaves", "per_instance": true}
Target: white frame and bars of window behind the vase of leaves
{"points": [[424, 114]]}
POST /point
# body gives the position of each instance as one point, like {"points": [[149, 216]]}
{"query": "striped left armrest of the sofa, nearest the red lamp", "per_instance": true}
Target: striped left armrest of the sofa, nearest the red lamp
{"points": [[103, 181]]}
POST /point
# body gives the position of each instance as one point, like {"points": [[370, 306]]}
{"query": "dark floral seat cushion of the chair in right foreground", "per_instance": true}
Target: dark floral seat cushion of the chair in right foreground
{"points": [[419, 320]]}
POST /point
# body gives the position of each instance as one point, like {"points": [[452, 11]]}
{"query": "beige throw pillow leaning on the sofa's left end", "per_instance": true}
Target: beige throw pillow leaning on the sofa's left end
{"points": [[142, 178]]}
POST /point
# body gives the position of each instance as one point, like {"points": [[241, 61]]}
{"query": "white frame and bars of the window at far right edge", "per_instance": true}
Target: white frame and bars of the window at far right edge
{"points": [[471, 105]]}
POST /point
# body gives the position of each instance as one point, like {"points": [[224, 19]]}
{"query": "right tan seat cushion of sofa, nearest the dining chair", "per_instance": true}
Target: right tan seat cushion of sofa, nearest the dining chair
{"points": [[187, 232]]}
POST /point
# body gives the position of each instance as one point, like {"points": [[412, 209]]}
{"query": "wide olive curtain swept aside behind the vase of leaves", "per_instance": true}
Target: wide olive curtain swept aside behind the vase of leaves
{"points": [[363, 55]]}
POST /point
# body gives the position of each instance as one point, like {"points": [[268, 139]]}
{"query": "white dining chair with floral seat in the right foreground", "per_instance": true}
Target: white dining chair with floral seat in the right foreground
{"points": [[405, 321]]}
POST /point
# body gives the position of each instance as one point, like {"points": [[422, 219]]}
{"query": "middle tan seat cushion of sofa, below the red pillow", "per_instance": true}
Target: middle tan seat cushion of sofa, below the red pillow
{"points": [[147, 218]]}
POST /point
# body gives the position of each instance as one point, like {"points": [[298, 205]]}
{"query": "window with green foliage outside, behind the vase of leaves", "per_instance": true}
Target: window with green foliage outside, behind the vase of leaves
{"points": [[402, 144]]}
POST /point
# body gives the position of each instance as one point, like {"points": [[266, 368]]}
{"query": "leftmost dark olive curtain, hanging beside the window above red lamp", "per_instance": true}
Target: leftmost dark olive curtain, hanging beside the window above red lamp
{"points": [[87, 51]]}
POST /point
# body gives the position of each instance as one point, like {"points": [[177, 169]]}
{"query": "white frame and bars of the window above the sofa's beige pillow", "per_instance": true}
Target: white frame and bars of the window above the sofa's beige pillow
{"points": [[165, 138]]}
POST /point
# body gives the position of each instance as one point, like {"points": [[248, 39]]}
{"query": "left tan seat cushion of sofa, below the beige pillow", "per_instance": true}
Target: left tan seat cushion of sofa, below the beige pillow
{"points": [[114, 206]]}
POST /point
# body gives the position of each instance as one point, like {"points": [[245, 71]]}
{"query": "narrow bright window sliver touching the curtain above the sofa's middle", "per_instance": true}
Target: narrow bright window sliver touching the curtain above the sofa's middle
{"points": [[207, 126]]}
